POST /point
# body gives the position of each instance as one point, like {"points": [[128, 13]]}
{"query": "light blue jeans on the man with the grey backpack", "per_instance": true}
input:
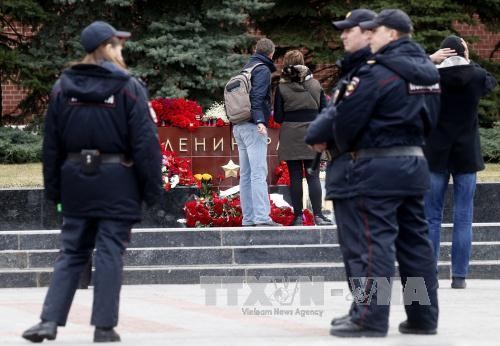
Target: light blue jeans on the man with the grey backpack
{"points": [[254, 196]]}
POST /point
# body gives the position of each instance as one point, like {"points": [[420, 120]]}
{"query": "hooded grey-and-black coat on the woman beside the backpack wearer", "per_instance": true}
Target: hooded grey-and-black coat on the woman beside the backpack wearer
{"points": [[298, 99]]}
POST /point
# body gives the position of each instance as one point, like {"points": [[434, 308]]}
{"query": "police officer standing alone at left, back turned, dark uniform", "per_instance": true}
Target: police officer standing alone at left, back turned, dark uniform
{"points": [[101, 160]]}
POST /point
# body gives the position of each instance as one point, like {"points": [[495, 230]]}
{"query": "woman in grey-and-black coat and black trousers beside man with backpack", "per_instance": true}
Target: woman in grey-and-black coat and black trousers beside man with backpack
{"points": [[298, 100]]}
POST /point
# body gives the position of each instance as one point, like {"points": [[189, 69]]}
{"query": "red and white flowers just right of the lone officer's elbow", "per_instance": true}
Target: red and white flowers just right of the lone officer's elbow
{"points": [[175, 170]]}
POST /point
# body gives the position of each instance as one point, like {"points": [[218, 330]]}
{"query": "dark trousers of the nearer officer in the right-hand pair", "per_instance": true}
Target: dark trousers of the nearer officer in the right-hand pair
{"points": [[374, 232]]}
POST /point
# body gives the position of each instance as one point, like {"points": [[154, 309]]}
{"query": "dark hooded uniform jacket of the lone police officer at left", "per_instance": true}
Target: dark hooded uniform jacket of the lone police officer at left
{"points": [[103, 108]]}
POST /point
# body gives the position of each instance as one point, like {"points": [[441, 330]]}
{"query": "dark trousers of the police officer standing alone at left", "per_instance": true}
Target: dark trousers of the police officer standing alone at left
{"points": [[79, 236]]}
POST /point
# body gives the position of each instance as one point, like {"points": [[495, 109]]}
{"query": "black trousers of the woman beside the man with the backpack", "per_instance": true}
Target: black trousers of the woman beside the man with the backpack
{"points": [[296, 169]]}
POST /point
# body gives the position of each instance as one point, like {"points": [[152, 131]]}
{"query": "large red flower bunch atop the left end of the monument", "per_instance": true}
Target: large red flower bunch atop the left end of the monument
{"points": [[177, 112]]}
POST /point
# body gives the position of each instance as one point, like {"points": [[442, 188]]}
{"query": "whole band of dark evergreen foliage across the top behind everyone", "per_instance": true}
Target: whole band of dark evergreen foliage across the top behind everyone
{"points": [[191, 48]]}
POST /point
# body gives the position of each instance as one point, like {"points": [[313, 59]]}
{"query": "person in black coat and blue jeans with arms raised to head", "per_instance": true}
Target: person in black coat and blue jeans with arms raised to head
{"points": [[454, 148]]}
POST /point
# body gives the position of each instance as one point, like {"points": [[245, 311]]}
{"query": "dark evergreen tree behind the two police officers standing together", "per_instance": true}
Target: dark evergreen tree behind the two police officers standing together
{"points": [[307, 24]]}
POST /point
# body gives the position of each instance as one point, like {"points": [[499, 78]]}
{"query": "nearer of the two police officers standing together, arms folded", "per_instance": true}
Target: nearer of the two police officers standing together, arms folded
{"points": [[389, 106]]}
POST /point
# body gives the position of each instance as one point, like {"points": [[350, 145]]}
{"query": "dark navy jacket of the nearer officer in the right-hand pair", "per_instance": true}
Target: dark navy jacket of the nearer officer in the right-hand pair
{"points": [[391, 101]]}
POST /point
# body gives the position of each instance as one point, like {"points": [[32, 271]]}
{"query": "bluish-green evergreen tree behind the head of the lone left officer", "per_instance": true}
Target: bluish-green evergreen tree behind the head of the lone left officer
{"points": [[180, 48]]}
